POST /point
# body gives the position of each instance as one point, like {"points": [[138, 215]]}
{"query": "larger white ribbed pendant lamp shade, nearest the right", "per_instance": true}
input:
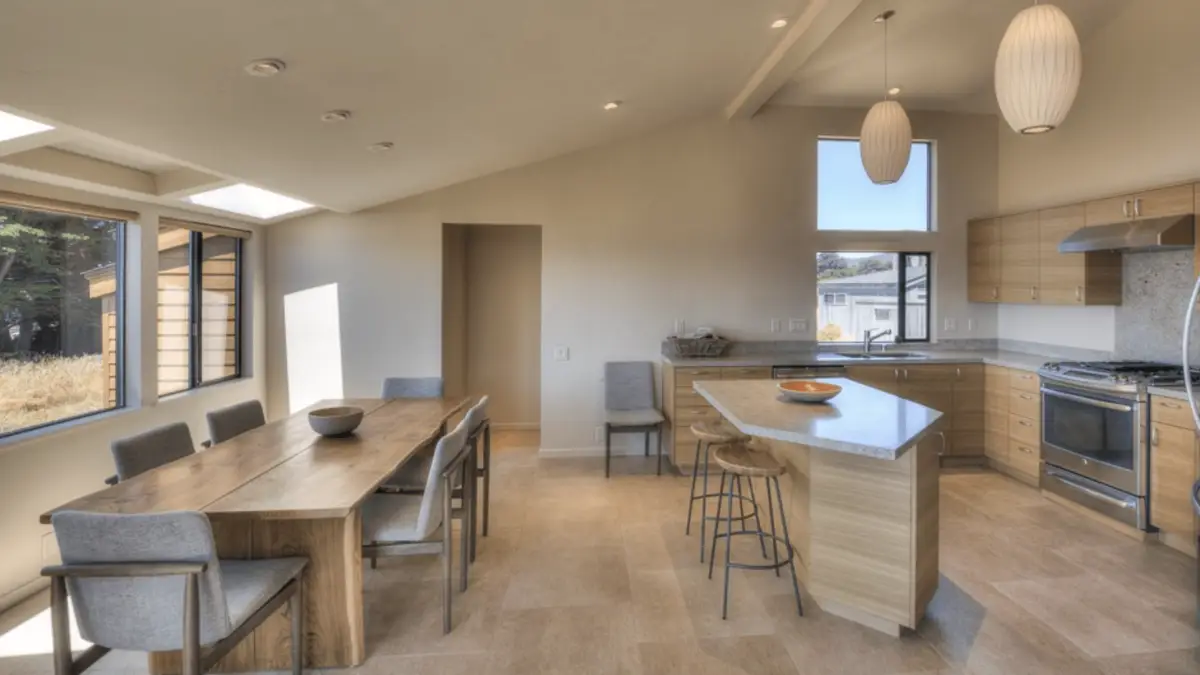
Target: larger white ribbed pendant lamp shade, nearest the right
{"points": [[1039, 70]]}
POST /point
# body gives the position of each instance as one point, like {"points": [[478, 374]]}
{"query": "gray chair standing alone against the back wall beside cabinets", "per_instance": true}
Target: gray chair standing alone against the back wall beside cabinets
{"points": [[629, 407]]}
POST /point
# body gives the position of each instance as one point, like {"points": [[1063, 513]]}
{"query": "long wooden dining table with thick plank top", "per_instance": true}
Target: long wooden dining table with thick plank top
{"points": [[283, 491]]}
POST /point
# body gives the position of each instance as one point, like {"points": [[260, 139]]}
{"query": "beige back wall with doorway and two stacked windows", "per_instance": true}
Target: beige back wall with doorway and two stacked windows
{"points": [[710, 222]]}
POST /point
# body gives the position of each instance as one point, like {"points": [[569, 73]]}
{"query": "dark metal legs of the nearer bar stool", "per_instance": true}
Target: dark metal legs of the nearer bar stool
{"points": [[775, 498]]}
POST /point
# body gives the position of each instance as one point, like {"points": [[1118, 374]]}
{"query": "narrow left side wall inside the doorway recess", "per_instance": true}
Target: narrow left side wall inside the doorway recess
{"points": [[454, 309]]}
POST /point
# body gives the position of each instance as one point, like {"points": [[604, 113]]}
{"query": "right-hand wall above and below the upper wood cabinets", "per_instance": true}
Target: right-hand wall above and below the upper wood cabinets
{"points": [[1133, 126]]}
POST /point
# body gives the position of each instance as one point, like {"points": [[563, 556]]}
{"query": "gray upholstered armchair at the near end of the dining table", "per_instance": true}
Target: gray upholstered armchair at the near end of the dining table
{"points": [[154, 583]]}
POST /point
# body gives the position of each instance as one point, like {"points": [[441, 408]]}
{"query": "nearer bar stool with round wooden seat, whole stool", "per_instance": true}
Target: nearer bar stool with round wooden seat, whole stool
{"points": [[739, 462]]}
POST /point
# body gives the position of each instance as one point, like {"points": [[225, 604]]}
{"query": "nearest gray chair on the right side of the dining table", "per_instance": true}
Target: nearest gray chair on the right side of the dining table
{"points": [[399, 524]]}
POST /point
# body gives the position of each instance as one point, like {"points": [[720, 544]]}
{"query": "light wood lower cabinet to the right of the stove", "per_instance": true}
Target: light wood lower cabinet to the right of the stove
{"points": [[1174, 468]]}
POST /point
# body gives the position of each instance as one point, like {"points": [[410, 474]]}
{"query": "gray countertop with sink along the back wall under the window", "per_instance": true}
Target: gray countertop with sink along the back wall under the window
{"points": [[1019, 361]]}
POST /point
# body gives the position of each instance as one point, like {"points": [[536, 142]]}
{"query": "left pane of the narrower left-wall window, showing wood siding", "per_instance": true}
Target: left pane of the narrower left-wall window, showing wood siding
{"points": [[175, 310]]}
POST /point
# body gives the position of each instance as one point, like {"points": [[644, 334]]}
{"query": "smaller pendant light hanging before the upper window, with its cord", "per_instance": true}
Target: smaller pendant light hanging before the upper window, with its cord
{"points": [[886, 141]]}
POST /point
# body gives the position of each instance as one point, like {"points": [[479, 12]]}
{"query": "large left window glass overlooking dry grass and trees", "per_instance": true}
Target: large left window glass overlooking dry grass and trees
{"points": [[61, 318]]}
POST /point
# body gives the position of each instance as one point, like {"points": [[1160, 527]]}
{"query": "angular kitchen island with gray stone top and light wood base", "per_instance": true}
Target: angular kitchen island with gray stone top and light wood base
{"points": [[861, 491]]}
